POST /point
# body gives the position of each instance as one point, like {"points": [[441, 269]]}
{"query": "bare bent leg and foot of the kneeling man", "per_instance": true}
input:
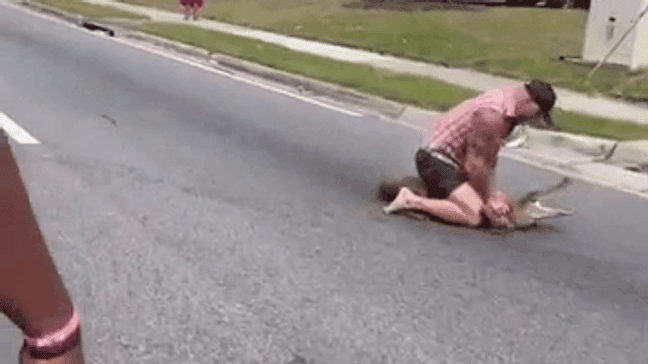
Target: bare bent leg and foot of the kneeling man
{"points": [[463, 206]]}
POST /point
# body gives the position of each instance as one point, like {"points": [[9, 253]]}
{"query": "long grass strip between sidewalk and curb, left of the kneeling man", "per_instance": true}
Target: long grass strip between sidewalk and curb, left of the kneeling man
{"points": [[422, 92]]}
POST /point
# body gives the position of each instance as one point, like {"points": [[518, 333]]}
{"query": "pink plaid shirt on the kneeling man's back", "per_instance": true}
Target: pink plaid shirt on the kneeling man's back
{"points": [[449, 134]]}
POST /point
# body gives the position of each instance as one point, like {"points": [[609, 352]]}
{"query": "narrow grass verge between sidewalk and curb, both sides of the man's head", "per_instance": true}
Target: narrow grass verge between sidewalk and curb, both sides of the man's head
{"points": [[422, 92]]}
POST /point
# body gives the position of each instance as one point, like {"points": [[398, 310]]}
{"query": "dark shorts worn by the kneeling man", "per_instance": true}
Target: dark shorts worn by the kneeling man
{"points": [[439, 177]]}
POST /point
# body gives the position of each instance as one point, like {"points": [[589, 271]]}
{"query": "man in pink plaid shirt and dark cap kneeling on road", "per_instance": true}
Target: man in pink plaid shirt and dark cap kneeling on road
{"points": [[458, 160]]}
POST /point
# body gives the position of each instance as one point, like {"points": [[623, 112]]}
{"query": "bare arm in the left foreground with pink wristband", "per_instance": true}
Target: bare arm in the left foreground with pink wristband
{"points": [[32, 294]]}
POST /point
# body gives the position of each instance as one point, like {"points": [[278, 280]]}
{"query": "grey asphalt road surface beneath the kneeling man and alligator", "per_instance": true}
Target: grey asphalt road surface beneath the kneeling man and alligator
{"points": [[199, 219]]}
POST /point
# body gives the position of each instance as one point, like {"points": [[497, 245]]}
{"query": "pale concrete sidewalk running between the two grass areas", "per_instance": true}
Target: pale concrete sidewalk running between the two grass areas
{"points": [[567, 100]]}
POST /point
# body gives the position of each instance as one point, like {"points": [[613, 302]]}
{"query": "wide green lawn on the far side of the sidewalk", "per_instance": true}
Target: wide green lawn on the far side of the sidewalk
{"points": [[520, 43]]}
